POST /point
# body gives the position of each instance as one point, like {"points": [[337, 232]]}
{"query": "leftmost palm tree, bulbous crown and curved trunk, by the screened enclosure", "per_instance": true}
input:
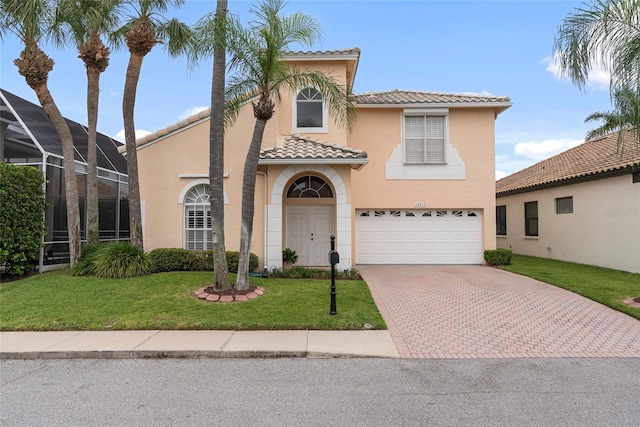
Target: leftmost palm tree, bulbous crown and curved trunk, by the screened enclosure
{"points": [[31, 20]]}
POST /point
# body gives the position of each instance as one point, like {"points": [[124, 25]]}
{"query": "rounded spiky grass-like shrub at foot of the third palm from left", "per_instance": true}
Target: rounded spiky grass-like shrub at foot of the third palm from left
{"points": [[120, 260]]}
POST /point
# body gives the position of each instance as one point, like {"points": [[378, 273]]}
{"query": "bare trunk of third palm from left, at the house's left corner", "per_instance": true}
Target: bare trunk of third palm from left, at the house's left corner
{"points": [[128, 104]]}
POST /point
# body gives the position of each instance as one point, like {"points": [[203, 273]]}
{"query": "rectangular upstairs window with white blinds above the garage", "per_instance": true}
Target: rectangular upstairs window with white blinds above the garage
{"points": [[424, 138]]}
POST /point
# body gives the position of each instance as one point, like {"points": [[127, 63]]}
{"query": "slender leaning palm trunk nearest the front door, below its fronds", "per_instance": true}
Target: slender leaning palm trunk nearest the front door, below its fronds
{"points": [[248, 194]]}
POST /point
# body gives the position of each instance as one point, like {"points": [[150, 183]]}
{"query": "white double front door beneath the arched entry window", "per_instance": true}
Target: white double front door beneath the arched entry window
{"points": [[309, 229]]}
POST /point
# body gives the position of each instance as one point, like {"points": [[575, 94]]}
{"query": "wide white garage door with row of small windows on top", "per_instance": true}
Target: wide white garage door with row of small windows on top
{"points": [[431, 236]]}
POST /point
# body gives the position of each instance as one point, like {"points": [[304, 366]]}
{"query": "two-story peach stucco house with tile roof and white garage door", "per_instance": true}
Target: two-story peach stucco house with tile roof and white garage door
{"points": [[411, 183]]}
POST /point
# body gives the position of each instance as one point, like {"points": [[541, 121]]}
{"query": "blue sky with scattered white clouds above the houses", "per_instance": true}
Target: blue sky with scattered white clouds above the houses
{"points": [[487, 47]]}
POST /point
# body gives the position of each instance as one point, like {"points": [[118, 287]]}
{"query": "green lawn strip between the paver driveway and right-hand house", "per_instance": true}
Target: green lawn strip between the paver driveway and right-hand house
{"points": [[609, 287]]}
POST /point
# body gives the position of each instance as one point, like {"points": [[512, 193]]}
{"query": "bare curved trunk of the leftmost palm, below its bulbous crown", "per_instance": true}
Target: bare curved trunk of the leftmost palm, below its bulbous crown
{"points": [[70, 179]]}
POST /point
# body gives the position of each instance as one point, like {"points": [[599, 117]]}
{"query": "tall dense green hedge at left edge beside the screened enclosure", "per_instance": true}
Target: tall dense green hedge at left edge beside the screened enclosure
{"points": [[22, 207]]}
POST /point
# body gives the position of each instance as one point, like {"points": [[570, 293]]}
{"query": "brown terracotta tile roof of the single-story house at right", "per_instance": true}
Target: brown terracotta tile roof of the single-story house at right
{"points": [[596, 156]]}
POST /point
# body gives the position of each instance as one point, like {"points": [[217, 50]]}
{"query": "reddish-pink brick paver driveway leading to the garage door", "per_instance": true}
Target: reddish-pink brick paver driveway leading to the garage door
{"points": [[483, 312]]}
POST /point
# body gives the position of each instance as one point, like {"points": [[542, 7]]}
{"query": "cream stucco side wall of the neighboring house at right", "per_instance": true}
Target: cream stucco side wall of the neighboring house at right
{"points": [[603, 230]]}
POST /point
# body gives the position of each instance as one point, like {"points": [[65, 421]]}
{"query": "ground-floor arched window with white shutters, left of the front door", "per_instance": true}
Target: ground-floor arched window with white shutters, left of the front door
{"points": [[197, 218]]}
